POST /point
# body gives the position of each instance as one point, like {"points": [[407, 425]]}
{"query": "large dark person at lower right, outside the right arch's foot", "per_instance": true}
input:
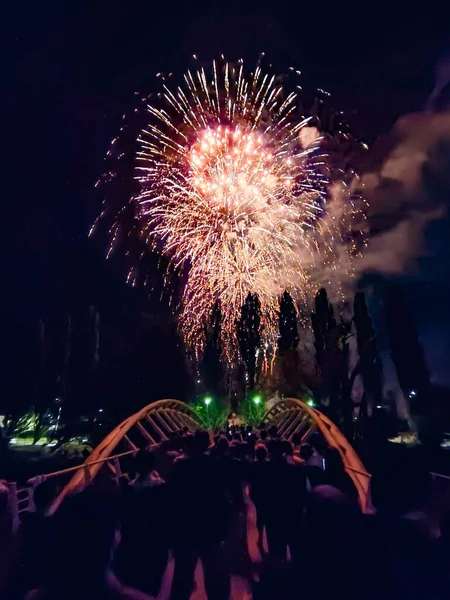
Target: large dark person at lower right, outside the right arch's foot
{"points": [[405, 551]]}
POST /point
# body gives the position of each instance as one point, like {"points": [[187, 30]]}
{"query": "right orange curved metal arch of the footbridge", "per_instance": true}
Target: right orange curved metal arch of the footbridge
{"points": [[336, 439]]}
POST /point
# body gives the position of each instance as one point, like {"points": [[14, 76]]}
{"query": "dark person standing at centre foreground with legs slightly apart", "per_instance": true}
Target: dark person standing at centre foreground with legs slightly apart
{"points": [[200, 517]]}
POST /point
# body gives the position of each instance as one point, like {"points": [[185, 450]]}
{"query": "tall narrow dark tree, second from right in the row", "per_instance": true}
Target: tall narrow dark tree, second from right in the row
{"points": [[369, 365]]}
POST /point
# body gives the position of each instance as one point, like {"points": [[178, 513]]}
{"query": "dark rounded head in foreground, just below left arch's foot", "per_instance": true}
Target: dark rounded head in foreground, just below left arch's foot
{"points": [[83, 532]]}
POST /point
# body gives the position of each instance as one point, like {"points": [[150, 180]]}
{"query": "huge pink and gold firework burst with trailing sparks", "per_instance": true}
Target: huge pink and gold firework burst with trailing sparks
{"points": [[238, 193]]}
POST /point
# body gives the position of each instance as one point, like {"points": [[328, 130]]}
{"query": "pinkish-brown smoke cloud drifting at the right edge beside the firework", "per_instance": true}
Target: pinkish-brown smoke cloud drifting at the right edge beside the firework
{"points": [[407, 191]]}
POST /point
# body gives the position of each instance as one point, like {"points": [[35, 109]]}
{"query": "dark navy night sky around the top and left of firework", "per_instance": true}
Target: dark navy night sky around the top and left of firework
{"points": [[69, 71]]}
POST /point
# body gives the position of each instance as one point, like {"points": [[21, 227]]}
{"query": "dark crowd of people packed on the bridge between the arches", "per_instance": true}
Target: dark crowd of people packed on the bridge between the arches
{"points": [[189, 500]]}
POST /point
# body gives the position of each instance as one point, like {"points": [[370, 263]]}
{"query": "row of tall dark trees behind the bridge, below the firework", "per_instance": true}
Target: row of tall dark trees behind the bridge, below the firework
{"points": [[333, 358]]}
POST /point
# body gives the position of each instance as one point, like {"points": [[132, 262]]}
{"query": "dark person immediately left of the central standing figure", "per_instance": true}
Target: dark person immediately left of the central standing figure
{"points": [[143, 553]]}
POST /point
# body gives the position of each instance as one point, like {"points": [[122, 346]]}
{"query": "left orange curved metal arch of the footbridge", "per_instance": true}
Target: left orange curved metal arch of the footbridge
{"points": [[95, 461]]}
